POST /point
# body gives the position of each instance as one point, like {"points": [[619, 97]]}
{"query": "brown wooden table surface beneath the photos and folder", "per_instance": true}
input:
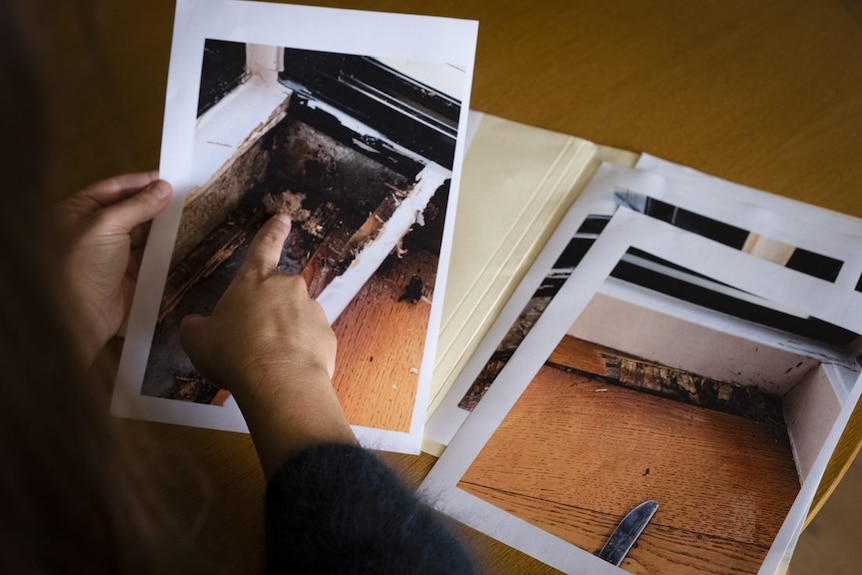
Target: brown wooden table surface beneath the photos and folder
{"points": [[768, 94]]}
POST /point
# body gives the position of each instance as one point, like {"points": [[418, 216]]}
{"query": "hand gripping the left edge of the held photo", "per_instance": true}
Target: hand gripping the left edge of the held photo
{"points": [[104, 228]]}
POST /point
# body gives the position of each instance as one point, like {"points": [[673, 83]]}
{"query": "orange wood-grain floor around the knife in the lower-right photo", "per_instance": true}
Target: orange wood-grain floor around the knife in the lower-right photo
{"points": [[574, 456]]}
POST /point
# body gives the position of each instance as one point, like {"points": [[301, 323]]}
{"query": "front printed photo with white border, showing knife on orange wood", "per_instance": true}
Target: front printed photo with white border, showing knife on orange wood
{"points": [[625, 391]]}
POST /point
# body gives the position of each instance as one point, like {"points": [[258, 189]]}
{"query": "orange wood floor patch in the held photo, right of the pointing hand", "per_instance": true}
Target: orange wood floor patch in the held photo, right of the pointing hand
{"points": [[380, 345]]}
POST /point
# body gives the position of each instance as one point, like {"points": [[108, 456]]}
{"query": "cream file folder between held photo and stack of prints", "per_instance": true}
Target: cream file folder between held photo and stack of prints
{"points": [[518, 182]]}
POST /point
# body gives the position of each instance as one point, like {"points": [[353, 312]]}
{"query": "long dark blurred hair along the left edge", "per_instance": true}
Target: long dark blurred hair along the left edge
{"points": [[73, 498]]}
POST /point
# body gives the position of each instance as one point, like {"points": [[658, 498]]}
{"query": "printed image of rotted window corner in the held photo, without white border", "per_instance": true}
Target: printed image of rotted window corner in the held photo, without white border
{"points": [[358, 151]]}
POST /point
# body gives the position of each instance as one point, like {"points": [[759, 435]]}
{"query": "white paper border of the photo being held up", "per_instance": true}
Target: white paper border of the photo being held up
{"points": [[378, 34]]}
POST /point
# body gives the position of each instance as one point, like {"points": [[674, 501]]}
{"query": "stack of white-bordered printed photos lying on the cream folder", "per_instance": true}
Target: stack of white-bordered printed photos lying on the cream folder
{"points": [[679, 339]]}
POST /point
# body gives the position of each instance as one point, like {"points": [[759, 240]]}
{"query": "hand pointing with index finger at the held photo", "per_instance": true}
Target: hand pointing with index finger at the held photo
{"points": [[270, 345]]}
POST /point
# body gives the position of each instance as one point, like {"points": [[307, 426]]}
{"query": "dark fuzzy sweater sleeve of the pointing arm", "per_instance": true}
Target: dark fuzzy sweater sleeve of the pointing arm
{"points": [[339, 509]]}
